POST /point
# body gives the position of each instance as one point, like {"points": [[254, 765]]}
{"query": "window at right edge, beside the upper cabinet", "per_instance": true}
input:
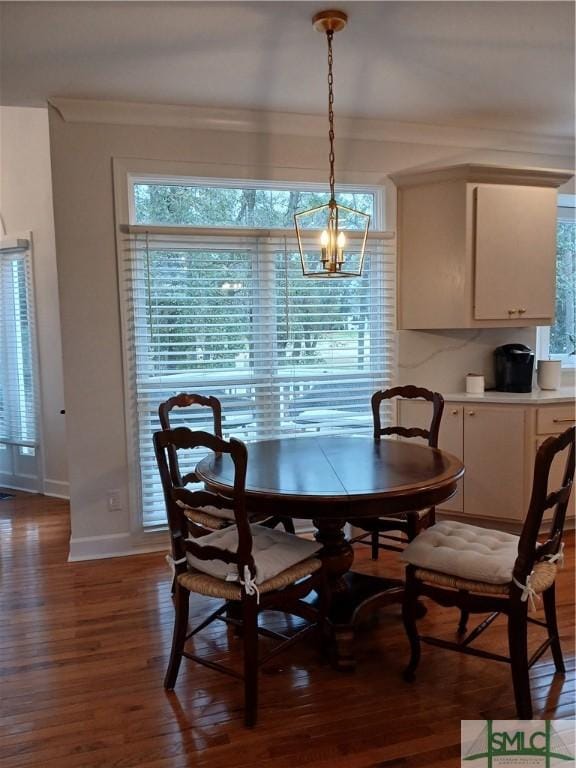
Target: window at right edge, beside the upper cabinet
{"points": [[559, 341]]}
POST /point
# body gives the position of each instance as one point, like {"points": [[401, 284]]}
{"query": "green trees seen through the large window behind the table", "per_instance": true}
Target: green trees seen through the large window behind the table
{"points": [[203, 303]]}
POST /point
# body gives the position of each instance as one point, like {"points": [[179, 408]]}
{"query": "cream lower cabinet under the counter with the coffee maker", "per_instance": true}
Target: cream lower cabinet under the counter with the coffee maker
{"points": [[497, 443]]}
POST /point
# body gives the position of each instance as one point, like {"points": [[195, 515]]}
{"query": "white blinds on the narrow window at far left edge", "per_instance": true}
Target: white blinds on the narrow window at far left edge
{"points": [[18, 390]]}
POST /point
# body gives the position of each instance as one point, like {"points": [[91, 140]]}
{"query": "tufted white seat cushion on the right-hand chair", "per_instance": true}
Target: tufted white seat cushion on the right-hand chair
{"points": [[466, 551]]}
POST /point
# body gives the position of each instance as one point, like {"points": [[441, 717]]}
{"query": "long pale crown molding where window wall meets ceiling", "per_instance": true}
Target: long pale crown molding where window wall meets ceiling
{"points": [[289, 123]]}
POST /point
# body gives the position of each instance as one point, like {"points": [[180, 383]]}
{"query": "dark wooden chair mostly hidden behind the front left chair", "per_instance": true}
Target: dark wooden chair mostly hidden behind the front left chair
{"points": [[205, 519]]}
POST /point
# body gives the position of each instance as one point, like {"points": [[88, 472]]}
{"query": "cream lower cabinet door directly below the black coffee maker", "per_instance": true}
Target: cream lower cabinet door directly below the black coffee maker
{"points": [[494, 458]]}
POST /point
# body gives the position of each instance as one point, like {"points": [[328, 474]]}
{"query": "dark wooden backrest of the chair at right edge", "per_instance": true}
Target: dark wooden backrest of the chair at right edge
{"points": [[529, 550]]}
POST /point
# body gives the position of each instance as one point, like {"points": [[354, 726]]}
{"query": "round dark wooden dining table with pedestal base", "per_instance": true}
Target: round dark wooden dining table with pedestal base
{"points": [[333, 479]]}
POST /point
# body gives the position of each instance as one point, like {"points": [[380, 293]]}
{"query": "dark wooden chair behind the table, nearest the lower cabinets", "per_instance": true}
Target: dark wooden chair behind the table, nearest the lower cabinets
{"points": [[378, 530]]}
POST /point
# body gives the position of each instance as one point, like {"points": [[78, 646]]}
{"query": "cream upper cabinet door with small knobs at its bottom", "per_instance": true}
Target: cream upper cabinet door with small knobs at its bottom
{"points": [[515, 258]]}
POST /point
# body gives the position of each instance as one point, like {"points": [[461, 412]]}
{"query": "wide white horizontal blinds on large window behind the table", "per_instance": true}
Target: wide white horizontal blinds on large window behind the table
{"points": [[231, 315]]}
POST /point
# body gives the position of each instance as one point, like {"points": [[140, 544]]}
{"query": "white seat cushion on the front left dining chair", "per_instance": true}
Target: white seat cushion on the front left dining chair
{"points": [[273, 552]]}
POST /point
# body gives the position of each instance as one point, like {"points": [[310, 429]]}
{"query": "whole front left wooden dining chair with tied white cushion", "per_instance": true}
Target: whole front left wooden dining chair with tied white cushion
{"points": [[253, 567]]}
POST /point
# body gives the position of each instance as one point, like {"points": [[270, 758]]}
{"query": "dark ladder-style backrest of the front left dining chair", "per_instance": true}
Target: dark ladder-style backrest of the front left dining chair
{"points": [[177, 498]]}
